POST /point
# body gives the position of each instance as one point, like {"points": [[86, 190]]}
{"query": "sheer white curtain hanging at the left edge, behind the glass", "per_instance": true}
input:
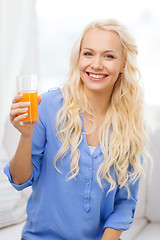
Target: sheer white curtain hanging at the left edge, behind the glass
{"points": [[17, 52]]}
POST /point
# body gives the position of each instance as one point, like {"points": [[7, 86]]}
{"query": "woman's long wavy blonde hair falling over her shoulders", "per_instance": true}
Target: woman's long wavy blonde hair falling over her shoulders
{"points": [[124, 115]]}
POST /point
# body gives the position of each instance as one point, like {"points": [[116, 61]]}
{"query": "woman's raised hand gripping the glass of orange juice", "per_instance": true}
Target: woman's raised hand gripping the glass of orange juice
{"points": [[18, 112]]}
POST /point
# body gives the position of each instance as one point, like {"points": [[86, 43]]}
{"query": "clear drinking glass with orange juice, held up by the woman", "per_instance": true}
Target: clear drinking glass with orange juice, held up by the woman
{"points": [[27, 85]]}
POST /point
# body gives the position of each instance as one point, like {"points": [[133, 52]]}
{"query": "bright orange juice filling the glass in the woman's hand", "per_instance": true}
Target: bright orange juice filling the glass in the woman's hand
{"points": [[32, 97]]}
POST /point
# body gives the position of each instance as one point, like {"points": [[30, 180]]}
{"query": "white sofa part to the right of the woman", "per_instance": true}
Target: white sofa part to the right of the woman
{"points": [[146, 225]]}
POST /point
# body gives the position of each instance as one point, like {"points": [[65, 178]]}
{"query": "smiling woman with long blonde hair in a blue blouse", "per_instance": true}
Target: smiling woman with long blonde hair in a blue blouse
{"points": [[83, 158]]}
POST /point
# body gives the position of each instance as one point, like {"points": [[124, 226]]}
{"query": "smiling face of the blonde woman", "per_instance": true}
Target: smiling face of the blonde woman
{"points": [[101, 60]]}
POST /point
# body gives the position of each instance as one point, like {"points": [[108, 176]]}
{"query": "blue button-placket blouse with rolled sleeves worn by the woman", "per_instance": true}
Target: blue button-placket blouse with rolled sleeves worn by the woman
{"points": [[76, 209]]}
